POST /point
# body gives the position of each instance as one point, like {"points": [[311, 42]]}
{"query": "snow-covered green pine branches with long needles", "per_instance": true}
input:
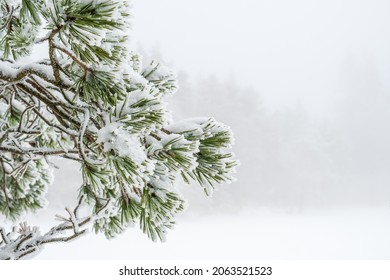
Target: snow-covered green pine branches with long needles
{"points": [[93, 101]]}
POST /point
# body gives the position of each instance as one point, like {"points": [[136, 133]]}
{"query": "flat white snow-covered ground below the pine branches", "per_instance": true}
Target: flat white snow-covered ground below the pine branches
{"points": [[258, 234]]}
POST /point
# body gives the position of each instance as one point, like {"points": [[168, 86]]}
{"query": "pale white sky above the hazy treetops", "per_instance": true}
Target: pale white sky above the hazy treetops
{"points": [[286, 50]]}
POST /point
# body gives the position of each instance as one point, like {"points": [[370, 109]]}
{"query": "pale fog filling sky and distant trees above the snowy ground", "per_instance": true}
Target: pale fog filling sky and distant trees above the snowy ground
{"points": [[303, 84]]}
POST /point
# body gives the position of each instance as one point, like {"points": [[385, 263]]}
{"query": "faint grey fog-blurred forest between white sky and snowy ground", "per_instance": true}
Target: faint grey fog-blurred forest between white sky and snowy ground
{"points": [[290, 159]]}
